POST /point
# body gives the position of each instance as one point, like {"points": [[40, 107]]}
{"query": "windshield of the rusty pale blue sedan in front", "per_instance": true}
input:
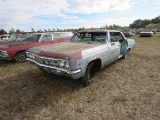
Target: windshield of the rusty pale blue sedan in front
{"points": [[89, 38]]}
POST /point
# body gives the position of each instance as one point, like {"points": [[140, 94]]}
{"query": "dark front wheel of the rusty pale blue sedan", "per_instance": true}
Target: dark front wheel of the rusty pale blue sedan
{"points": [[88, 77]]}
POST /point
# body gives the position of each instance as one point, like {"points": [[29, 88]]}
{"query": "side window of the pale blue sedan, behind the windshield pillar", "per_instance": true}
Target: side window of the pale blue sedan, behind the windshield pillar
{"points": [[116, 36]]}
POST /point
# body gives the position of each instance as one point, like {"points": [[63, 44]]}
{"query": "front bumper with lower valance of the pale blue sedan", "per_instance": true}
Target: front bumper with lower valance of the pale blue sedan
{"points": [[60, 71]]}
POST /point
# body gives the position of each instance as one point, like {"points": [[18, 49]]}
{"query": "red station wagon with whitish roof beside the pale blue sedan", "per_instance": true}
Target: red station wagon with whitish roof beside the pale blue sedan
{"points": [[16, 50]]}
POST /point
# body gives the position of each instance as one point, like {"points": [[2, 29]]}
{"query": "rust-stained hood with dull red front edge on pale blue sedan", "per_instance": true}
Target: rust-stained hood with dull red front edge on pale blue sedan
{"points": [[62, 50]]}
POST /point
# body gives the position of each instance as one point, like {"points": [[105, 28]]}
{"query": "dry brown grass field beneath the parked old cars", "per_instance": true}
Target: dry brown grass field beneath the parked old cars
{"points": [[128, 89]]}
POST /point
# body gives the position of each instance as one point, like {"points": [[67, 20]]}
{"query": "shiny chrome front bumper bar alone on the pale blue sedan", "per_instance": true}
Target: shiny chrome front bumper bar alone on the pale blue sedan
{"points": [[52, 67]]}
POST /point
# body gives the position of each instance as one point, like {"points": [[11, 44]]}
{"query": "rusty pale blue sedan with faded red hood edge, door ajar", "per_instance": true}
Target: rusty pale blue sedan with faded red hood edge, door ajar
{"points": [[87, 52]]}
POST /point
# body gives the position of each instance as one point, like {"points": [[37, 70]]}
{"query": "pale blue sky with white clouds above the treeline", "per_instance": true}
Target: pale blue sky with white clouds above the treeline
{"points": [[44, 14]]}
